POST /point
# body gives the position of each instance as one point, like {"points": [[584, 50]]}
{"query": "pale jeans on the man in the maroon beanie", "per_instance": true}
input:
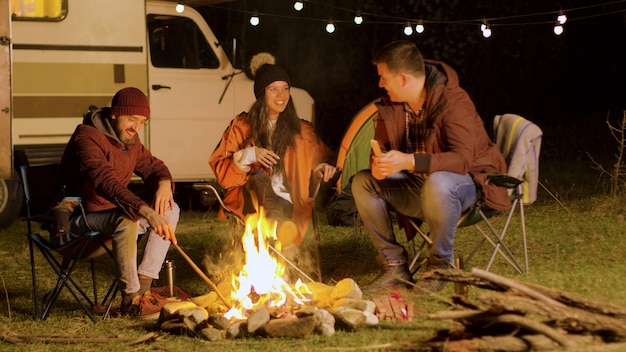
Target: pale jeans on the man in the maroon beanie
{"points": [[124, 233]]}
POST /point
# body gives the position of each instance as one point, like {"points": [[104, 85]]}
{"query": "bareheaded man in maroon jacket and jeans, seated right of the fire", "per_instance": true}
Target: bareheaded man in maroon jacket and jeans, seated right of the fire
{"points": [[435, 155]]}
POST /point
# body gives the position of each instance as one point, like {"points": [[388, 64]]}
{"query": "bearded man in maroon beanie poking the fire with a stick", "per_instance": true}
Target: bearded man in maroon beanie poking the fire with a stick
{"points": [[97, 165]]}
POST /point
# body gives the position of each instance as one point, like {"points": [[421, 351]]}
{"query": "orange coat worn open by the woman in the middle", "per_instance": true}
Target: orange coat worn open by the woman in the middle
{"points": [[299, 161]]}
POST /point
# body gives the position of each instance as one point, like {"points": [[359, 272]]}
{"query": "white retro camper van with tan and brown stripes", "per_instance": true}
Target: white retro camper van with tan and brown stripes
{"points": [[59, 57]]}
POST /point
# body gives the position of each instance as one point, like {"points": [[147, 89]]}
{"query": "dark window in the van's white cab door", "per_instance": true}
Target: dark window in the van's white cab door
{"points": [[177, 42]]}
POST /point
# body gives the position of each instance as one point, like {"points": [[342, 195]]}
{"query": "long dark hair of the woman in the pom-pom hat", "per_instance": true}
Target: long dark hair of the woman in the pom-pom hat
{"points": [[285, 132]]}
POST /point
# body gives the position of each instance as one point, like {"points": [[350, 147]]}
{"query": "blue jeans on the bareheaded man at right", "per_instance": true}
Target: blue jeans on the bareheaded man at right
{"points": [[439, 200]]}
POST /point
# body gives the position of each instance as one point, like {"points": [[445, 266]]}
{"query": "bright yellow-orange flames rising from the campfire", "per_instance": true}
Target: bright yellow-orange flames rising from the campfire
{"points": [[261, 281]]}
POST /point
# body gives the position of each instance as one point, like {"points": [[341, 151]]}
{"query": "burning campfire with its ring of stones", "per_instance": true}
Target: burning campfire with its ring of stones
{"points": [[260, 299]]}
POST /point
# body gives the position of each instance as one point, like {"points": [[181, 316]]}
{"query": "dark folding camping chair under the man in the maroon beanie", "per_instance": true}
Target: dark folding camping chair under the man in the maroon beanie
{"points": [[41, 194]]}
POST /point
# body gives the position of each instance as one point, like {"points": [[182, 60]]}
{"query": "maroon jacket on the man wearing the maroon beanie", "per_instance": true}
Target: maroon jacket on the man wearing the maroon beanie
{"points": [[98, 167]]}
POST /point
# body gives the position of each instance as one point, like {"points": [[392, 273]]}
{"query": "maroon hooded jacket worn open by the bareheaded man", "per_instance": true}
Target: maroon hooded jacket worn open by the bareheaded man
{"points": [[456, 139]]}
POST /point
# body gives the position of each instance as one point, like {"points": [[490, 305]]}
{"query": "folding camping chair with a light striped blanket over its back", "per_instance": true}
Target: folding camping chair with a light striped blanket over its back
{"points": [[519, 141]]}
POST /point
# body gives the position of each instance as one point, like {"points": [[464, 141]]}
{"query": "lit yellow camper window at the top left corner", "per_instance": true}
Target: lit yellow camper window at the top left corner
{"points": [[39, 10]]}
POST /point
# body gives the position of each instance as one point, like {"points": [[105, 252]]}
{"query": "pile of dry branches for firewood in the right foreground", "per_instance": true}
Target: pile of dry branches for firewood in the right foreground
{"points": [[508, 315]]}
